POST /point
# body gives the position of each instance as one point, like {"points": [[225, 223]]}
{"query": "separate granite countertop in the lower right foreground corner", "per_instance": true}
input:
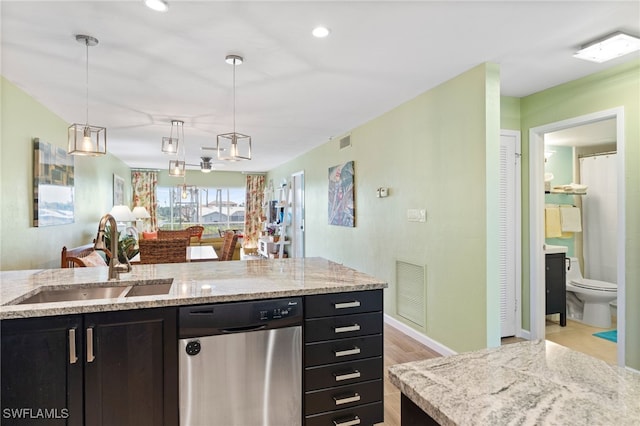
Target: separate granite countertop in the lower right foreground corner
{"points": [[527, 383]]}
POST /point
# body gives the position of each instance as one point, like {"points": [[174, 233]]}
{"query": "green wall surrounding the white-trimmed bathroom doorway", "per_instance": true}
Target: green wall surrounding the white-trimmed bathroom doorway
{"points": [[616, 87]]}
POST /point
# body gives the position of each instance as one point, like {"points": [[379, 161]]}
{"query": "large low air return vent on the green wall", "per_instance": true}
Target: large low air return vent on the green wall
{"points": [[411, 292]]}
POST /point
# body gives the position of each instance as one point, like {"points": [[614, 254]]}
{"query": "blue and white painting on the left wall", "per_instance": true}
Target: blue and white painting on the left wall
{"points": [[53, 185]]}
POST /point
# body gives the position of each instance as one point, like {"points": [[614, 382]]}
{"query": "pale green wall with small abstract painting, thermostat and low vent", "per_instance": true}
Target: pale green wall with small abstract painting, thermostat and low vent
{"points": [[436, 152]]}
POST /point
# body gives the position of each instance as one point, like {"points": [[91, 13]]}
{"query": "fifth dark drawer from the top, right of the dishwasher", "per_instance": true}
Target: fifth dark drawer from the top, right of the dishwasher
{"points": [[342, 397]]}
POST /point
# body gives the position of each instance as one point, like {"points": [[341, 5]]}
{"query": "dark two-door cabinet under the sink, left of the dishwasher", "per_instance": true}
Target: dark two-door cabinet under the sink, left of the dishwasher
{"points": [[95, 369]]}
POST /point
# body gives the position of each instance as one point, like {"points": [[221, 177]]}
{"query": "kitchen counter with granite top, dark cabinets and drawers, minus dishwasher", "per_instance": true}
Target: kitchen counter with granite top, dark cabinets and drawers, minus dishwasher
{"points": [[112, 357]]}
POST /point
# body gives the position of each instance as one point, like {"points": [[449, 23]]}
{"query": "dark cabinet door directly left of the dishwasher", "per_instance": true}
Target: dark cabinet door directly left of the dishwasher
{"points": [[131, 374]]}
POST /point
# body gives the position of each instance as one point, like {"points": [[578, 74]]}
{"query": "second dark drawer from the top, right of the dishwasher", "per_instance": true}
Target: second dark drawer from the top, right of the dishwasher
{"points": [[318, 329]]}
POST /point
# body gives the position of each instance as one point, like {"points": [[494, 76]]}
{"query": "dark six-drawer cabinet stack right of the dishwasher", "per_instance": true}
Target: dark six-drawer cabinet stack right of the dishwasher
{"points": [[343, 368]]}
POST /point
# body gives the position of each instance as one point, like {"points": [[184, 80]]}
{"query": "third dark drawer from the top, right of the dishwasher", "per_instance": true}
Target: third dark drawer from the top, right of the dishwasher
{"points": [[342, 350]]}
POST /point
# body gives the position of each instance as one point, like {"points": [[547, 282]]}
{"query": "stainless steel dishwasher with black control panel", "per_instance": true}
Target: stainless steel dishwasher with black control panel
{"points": [[241, 363]]}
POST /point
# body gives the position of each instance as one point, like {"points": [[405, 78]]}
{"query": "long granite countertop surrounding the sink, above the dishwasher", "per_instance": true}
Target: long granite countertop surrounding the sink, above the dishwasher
{"points": [[193, 283]]}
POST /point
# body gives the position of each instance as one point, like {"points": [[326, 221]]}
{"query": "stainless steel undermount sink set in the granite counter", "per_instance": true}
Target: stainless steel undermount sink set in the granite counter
{"points": [[145, 288]]}
